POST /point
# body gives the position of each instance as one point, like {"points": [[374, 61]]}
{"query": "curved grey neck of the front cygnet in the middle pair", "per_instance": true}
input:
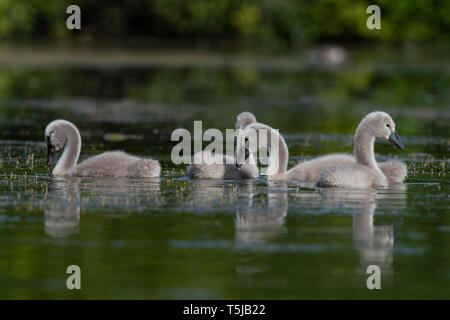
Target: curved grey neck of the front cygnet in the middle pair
{"points": [[279, 155]]}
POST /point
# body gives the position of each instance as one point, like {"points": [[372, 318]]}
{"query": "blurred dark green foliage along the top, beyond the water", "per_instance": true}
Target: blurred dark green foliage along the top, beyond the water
{"points": [[265, 23]]}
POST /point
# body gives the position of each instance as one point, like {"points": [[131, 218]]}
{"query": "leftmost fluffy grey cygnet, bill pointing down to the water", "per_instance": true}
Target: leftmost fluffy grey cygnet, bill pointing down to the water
{"points": [[63, 135]]}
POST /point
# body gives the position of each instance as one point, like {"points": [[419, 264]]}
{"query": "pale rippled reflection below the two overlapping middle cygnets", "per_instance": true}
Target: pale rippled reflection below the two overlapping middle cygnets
{"points": [[260, 216]]}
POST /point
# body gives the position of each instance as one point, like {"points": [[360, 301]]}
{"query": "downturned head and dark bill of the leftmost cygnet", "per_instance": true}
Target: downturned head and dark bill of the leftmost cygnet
{"points": [[56, 137]]}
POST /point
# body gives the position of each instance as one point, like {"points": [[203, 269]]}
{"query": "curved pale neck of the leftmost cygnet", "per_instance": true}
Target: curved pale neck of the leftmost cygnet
{"points": [[69, 158]]}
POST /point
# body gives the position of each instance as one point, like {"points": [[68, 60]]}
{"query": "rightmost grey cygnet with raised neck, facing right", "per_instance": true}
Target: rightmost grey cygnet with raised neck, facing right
{"points": [[366, 172]]}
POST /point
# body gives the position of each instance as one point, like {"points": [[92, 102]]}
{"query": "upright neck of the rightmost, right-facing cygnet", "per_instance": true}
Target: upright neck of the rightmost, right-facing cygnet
{"points": [[364, 149]]}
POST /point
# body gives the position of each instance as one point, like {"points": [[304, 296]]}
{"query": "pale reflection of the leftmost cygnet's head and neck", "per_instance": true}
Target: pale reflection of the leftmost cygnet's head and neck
{"points": [[62, 210]]}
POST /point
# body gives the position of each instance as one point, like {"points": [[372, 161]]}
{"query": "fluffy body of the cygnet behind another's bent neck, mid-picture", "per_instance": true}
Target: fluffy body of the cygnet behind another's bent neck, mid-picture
{"points": [[205, 165]]}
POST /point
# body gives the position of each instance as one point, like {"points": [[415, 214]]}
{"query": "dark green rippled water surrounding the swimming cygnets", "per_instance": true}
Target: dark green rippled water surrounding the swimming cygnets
{"points": [[175, 238]]}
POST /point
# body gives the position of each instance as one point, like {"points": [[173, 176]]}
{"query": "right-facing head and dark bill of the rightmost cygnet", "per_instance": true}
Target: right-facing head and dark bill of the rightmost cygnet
{"points": [[380, 125]]}
